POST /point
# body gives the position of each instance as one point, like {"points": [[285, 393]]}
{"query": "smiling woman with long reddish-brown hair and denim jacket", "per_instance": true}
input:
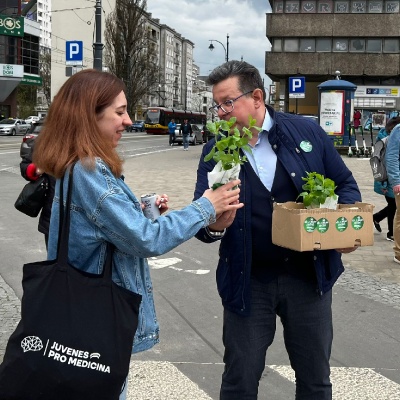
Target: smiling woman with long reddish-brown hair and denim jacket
{"points": [[84, 125]]}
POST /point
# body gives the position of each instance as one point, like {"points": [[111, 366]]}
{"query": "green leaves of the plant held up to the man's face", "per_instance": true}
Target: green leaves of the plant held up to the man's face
{"points": [[228, 142]]}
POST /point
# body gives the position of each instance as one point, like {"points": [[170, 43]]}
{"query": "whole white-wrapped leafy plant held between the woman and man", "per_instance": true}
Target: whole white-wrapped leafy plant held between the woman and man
{"points": [[226, 150]]}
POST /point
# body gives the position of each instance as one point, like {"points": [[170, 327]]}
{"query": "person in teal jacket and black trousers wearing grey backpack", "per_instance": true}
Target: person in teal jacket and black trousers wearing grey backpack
{"points": [[384, 188]]}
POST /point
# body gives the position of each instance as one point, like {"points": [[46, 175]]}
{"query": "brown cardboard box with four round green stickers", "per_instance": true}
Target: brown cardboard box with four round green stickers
{"points": [[301, 229]]}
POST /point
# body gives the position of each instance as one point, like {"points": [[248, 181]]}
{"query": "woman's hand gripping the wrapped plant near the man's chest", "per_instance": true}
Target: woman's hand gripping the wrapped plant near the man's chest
{"points": [[225, 198]]}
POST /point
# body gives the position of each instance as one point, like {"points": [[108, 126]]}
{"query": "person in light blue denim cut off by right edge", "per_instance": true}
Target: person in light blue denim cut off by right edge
{"points": [[392, 156]]}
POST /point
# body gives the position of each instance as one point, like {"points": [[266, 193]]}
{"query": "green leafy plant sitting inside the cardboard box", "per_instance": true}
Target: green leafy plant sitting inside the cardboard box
{"points": [[317, 189]]}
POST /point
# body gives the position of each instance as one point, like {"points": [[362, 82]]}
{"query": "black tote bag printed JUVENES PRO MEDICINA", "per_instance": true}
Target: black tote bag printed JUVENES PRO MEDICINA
{"points": [[75, 336]]}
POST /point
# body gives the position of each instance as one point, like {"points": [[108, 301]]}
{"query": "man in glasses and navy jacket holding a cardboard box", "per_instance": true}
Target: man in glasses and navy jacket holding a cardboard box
{"points": [[257, 280]]}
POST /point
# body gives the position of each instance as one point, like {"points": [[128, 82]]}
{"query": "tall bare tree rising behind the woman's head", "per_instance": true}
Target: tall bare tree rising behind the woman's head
{"points": [[130, 50]]}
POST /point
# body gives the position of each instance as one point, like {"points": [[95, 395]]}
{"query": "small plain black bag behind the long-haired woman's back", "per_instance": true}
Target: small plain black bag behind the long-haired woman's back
{"points": [[32, 197]]}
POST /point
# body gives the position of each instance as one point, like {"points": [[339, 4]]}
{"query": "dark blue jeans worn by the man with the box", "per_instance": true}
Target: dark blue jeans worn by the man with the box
{"points": [[307, 321]]}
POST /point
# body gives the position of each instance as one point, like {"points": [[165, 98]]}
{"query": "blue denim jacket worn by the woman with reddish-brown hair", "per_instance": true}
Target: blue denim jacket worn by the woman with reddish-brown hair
{"points": [[104, 209]]}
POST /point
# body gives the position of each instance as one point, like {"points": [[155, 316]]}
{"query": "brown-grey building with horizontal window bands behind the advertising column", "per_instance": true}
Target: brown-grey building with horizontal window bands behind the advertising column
{"points": [[355, 40]]}
